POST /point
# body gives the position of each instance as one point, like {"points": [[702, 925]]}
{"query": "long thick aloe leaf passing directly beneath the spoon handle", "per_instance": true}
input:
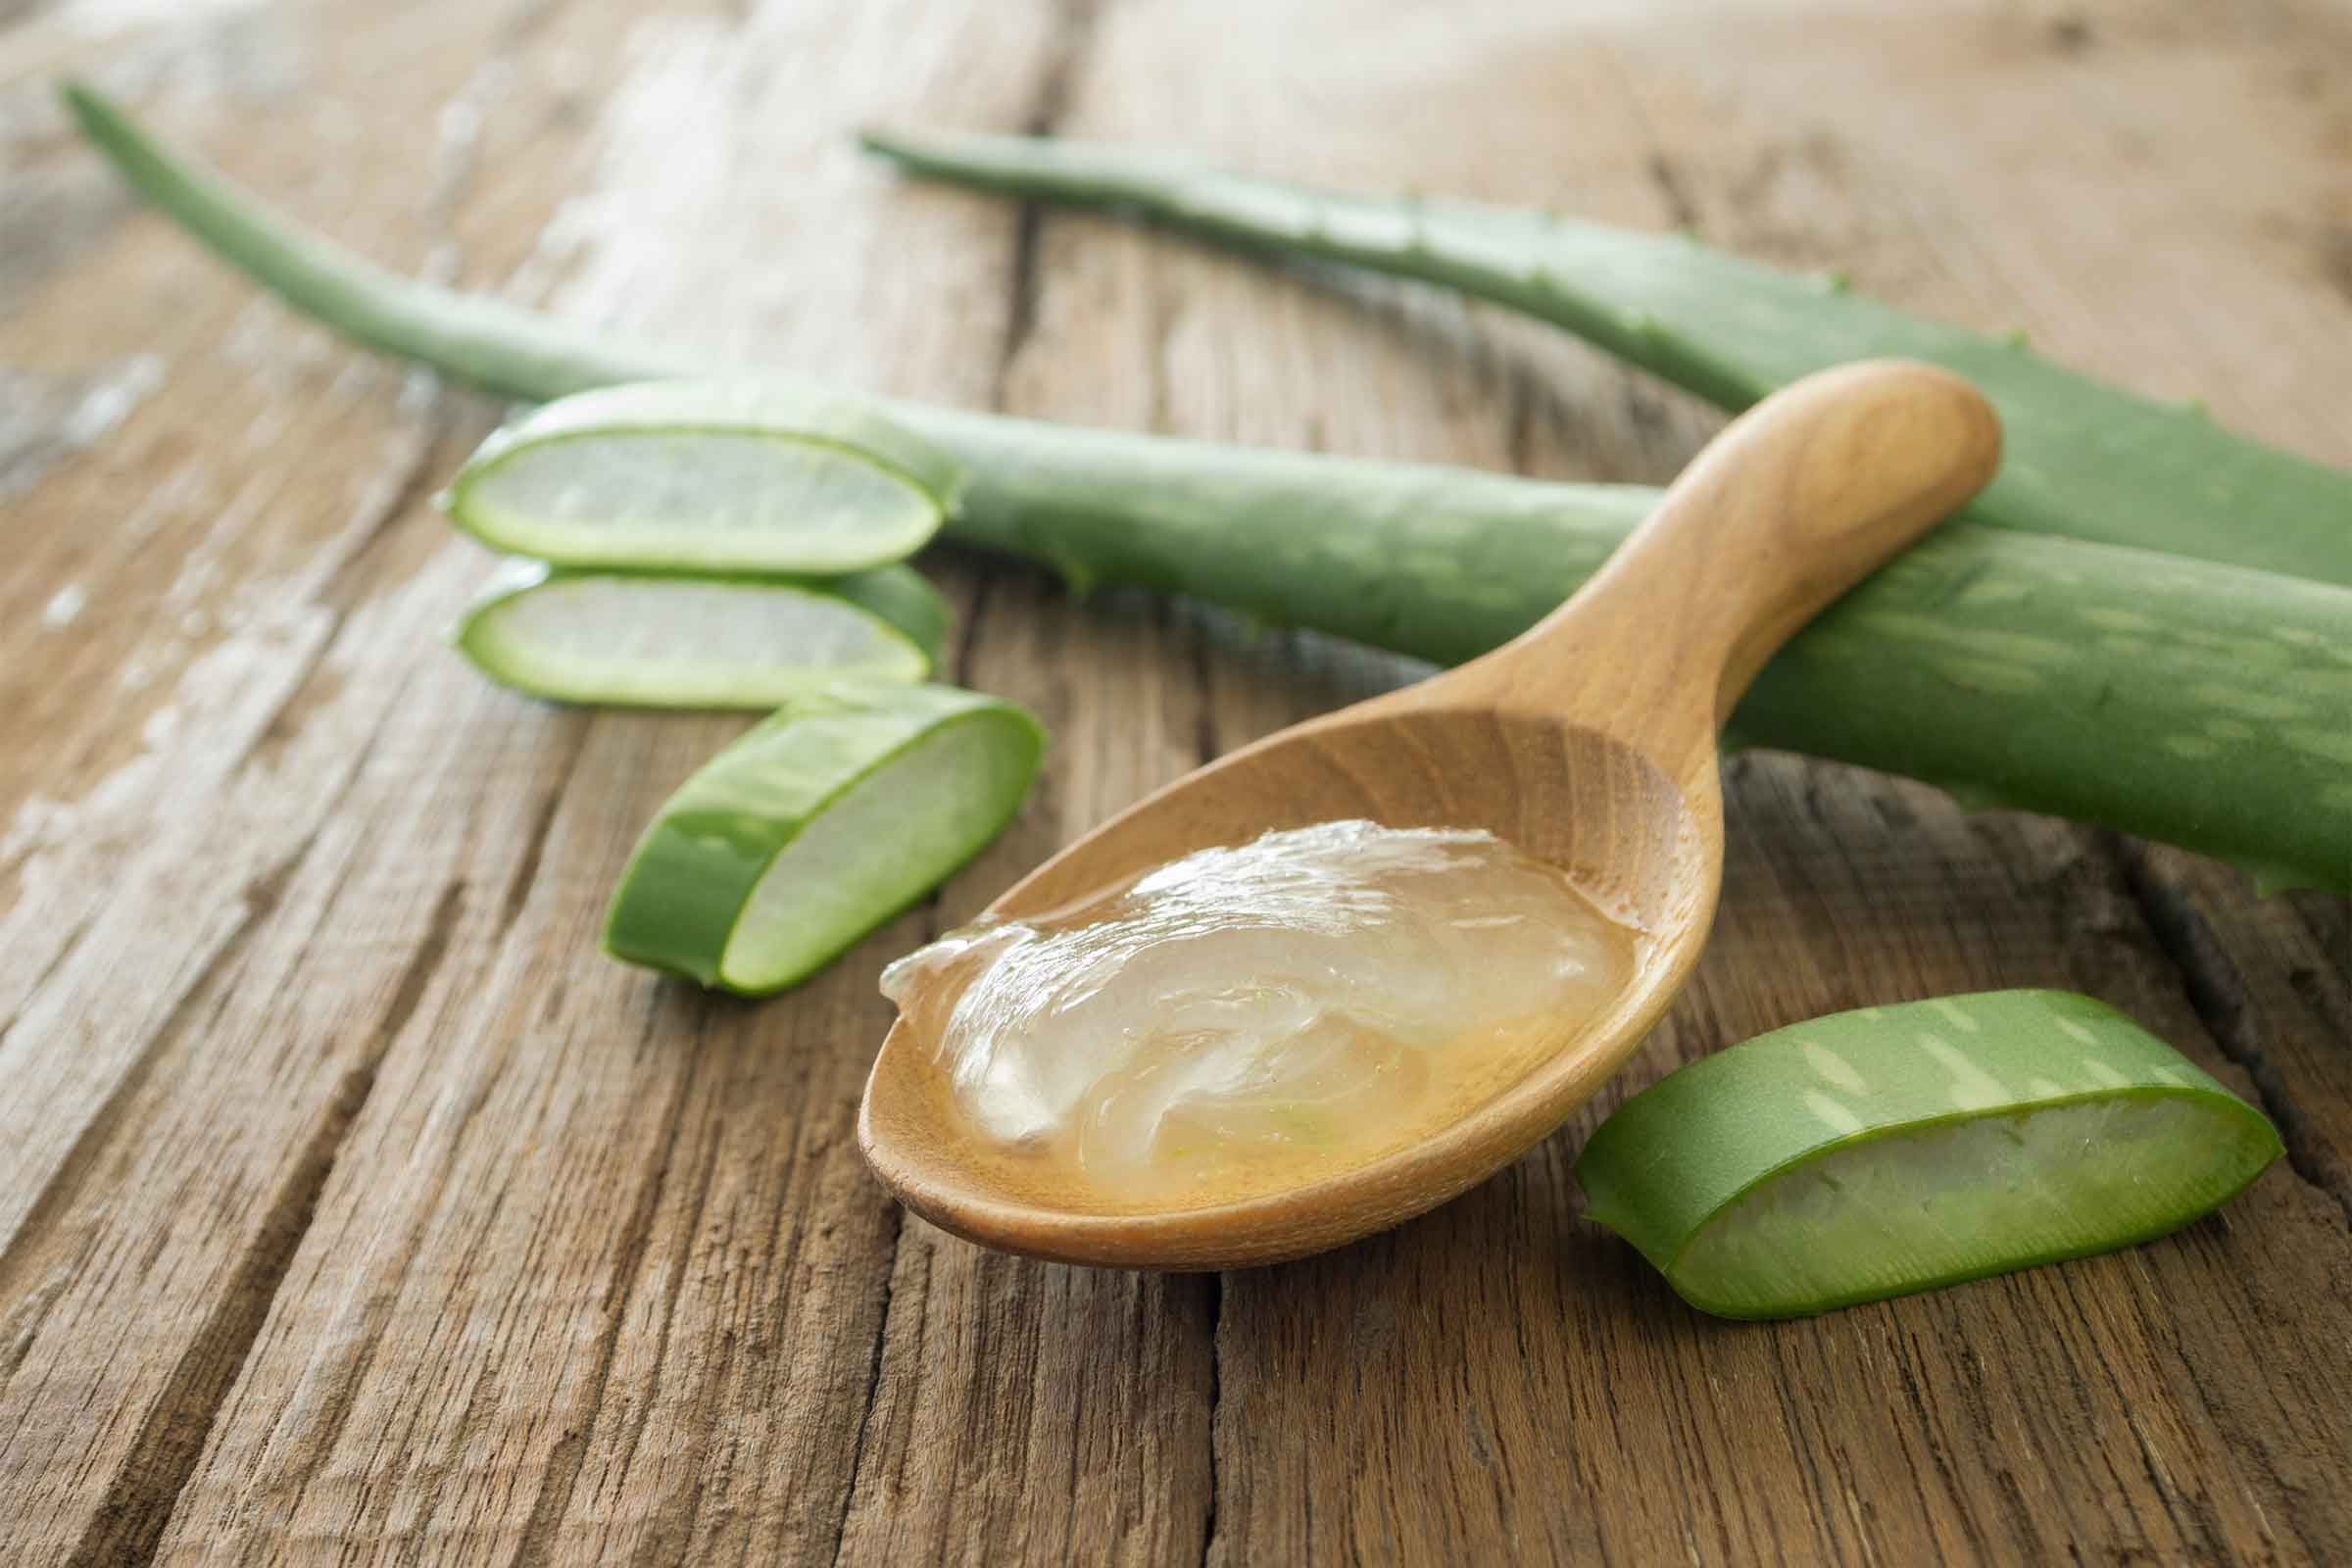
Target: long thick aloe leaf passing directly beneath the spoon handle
{"points": [[2167, 697]]}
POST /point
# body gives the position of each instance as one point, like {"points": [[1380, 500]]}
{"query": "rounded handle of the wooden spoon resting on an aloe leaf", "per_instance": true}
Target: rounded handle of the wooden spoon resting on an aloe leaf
{"points": [[1791, 507]]}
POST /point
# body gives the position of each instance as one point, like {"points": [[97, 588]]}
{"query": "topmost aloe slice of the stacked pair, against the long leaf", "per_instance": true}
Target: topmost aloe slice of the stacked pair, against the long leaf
{"points": [[707, 476]]}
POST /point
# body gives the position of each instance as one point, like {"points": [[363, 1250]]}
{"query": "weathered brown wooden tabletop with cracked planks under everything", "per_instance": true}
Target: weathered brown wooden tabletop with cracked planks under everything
{"points": [[359, 1212]]}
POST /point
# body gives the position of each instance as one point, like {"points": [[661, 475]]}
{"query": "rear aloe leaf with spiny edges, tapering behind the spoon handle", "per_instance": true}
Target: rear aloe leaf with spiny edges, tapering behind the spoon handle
{"points": [[2085, 460]]}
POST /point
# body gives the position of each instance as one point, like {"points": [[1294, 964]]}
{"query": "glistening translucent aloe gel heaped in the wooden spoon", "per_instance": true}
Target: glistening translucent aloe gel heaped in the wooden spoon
{"points": [[1257, 1017]]}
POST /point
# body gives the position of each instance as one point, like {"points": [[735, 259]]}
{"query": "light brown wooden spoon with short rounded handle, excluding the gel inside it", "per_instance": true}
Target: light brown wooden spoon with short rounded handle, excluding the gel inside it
{"points": [[1586, 742]]}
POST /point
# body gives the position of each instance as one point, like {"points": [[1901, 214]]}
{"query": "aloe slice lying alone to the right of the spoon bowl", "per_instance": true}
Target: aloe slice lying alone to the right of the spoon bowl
{"points": [[1902, 1148]]}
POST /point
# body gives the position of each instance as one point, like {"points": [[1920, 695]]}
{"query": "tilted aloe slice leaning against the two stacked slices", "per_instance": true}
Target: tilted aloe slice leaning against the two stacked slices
{"points": [[815, 829]]}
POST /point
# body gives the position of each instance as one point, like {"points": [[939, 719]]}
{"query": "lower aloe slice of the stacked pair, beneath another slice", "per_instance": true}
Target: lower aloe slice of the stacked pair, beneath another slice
{"points": [[582, 636]]}
